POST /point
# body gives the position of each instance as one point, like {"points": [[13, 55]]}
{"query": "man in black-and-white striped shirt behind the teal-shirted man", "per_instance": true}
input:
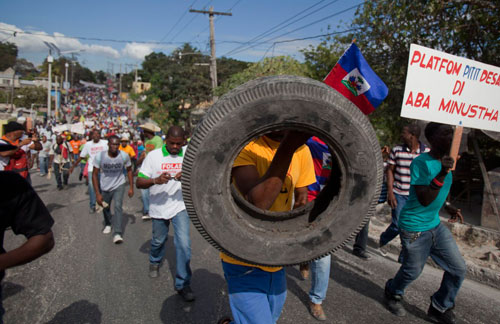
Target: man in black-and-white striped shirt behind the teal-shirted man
{"points": [[398, 177]]}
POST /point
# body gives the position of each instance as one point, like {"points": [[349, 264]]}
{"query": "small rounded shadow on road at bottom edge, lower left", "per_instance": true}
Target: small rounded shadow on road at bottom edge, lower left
{"points": [[80, 312]]}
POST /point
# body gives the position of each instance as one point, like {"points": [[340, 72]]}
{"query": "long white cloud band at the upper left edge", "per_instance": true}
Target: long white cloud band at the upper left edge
{"points": [[33, 42]]}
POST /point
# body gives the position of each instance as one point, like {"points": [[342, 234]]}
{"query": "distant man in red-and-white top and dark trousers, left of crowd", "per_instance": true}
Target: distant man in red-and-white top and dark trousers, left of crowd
{"points": [[60, 160]]}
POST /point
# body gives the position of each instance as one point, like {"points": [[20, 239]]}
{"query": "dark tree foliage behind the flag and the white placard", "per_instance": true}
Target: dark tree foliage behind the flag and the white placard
{"points": [[385, 30]]}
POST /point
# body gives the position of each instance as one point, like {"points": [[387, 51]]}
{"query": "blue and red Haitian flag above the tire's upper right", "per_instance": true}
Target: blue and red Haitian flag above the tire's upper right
{"points": [[355, 80]]}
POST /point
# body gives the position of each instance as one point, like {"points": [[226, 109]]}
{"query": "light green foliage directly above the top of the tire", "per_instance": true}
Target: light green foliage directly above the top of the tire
{"points": [[279, 65]]}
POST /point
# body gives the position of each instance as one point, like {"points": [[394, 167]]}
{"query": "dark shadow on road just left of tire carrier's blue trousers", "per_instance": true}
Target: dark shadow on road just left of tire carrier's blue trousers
{"points": [[211, 301]]}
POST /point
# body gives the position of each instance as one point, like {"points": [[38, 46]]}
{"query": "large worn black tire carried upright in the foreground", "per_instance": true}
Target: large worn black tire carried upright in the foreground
{"points": [[283, 102]]}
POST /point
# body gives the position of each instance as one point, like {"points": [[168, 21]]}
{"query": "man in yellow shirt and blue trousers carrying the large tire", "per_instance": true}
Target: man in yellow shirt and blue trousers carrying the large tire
{"points": [[270, 173]]}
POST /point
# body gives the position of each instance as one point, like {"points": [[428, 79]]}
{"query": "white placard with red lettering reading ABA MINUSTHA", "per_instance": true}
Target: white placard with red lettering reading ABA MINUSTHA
{"points": [[451, 90]]}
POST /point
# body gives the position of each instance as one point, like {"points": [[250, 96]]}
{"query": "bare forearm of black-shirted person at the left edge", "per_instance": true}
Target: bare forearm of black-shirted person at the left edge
{"points": [[33, 248]]}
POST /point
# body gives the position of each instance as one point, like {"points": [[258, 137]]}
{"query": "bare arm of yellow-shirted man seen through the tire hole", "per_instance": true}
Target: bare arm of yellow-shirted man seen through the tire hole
{"points": [[263, 191]]}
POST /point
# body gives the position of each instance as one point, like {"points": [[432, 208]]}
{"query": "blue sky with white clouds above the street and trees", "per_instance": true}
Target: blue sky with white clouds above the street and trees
{"points": [[107, 33]]}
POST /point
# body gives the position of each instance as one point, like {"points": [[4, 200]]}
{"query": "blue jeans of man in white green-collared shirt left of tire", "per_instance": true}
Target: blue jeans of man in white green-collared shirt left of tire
{"points": [[182, 244]]}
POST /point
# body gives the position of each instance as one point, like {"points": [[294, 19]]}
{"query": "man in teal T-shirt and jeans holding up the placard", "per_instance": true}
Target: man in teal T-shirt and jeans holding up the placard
{"points": [[423, 235]]}
